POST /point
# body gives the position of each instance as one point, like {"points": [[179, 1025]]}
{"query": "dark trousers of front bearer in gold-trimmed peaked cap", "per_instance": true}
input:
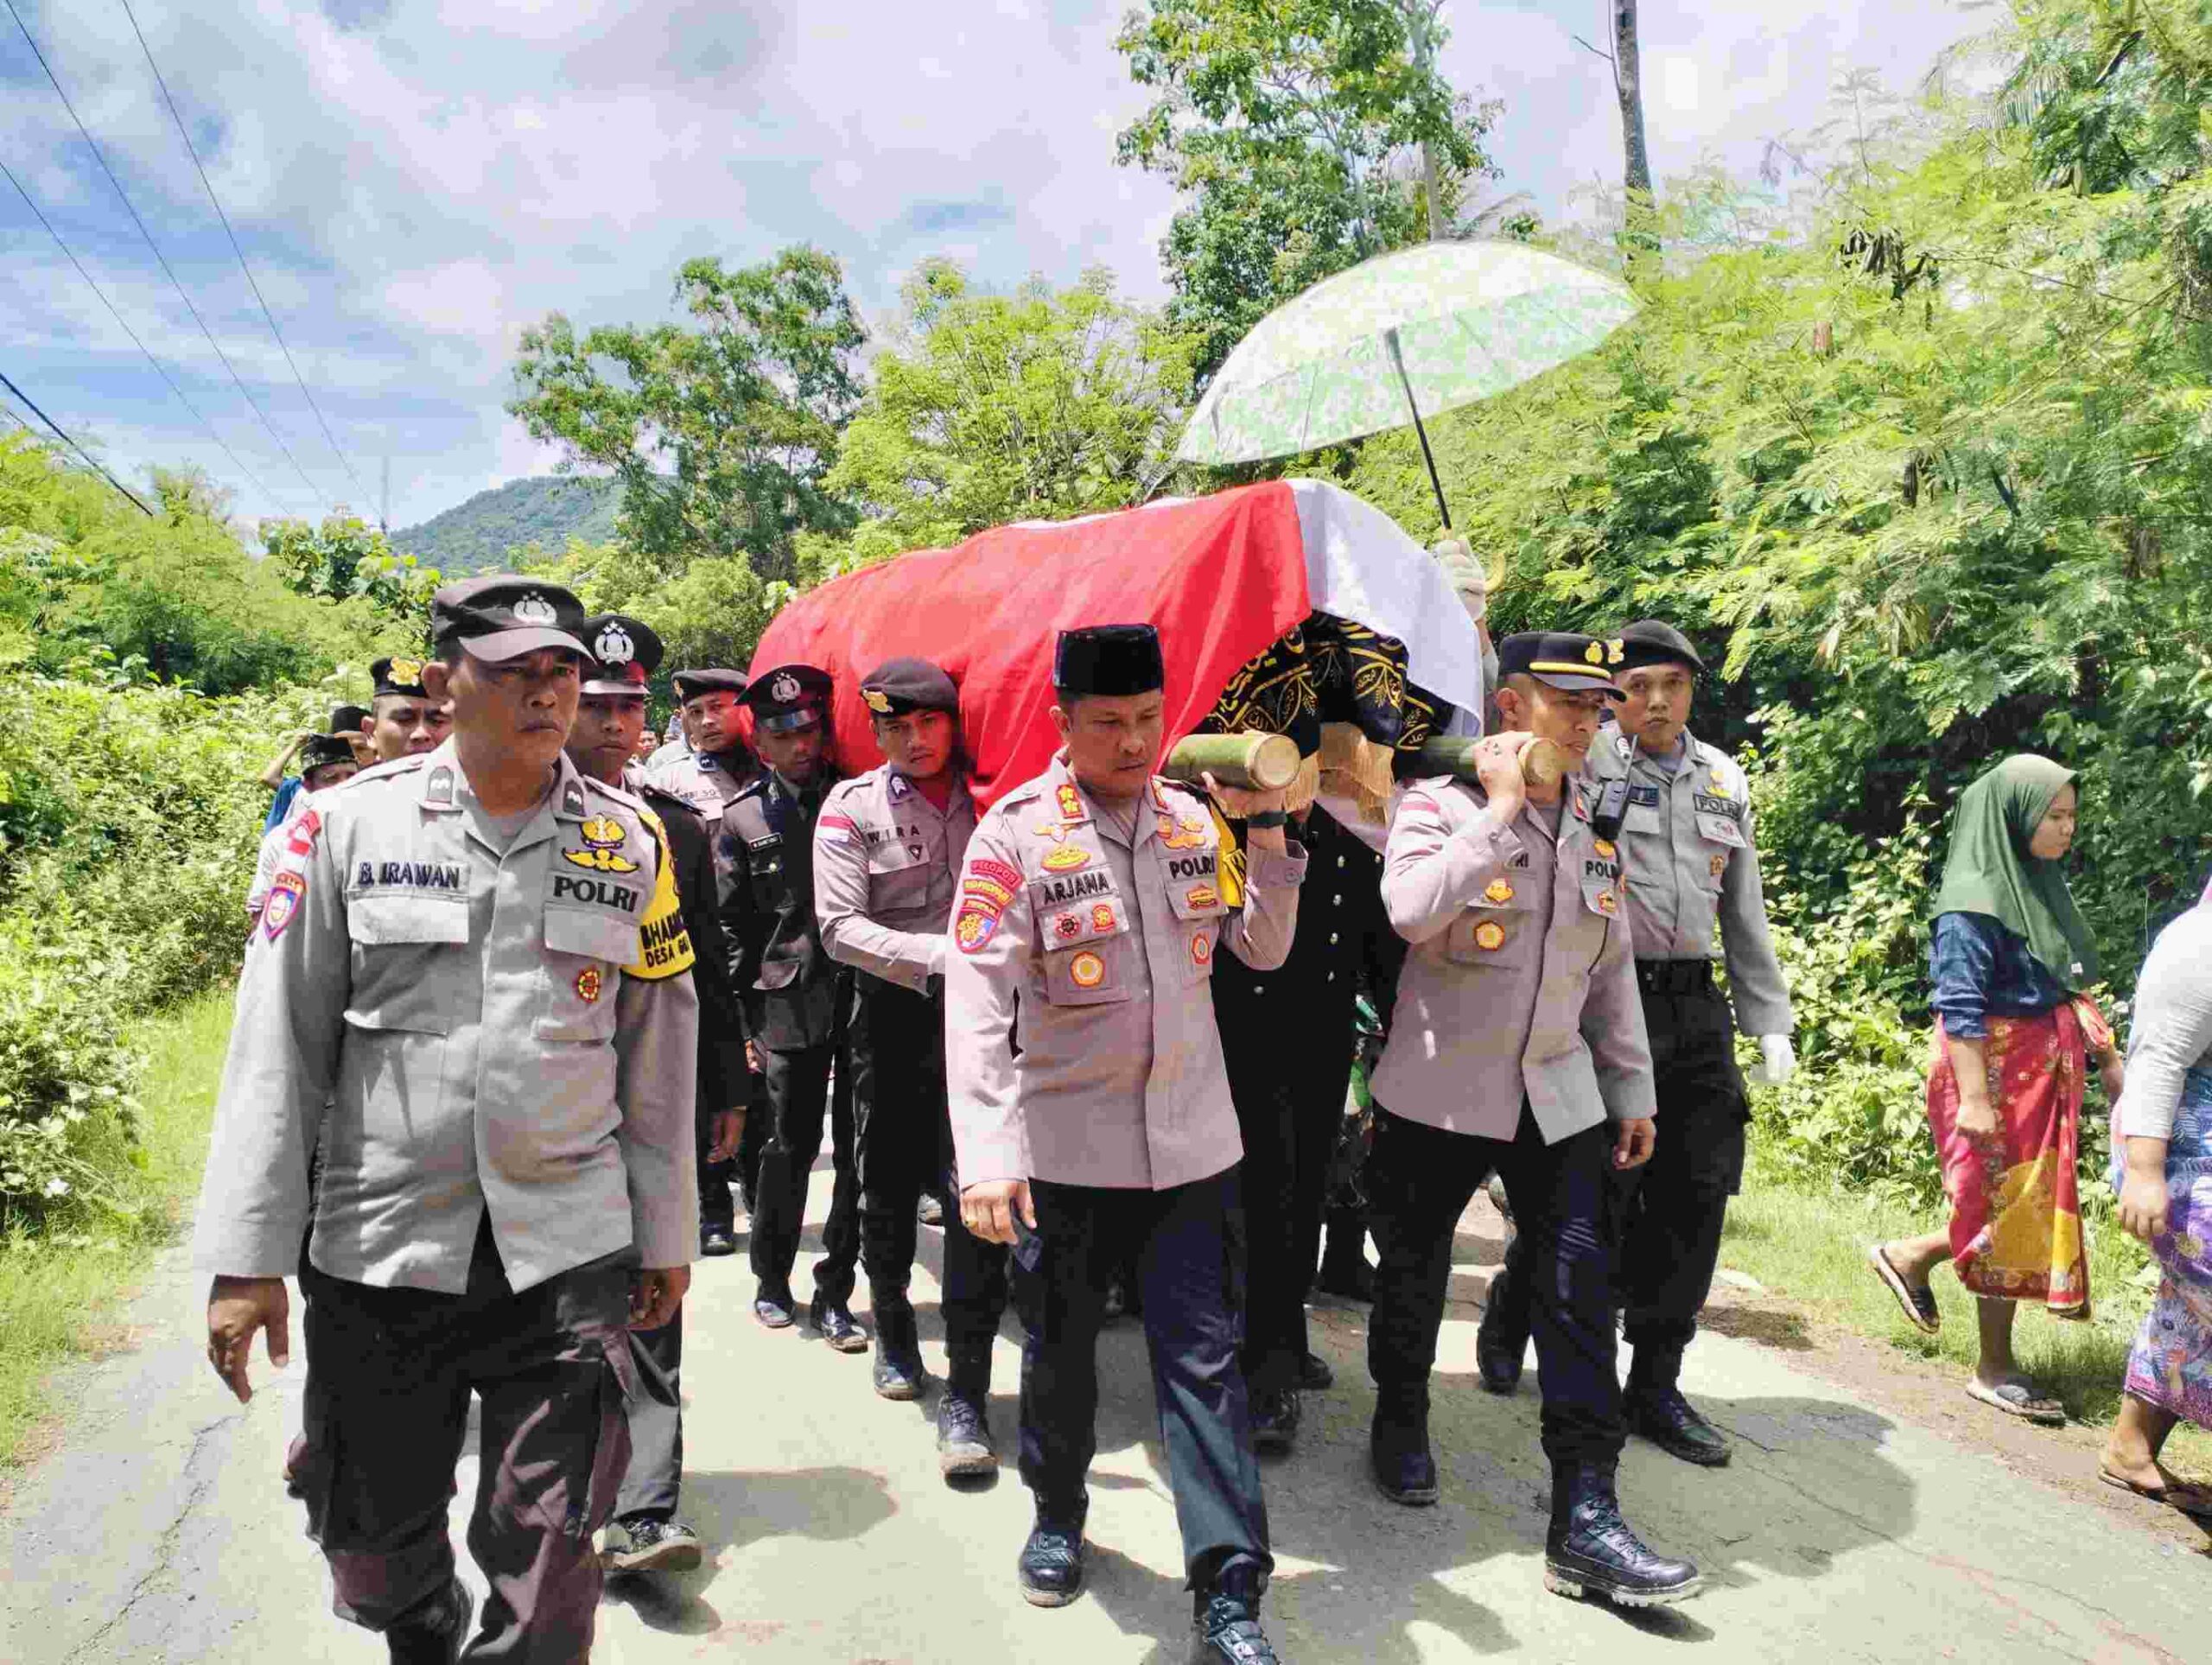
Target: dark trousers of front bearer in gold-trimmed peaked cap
{"points": [[1419, 1184]]}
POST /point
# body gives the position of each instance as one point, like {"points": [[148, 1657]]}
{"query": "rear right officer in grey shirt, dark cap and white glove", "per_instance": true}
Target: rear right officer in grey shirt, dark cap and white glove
{"points": [[1693, 866]]}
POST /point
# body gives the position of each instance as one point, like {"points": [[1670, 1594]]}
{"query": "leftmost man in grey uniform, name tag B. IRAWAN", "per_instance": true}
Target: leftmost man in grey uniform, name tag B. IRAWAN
{"points": [[466, 985]]}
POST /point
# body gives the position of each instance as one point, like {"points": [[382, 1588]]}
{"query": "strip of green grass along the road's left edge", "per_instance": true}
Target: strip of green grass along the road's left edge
{"points": [[61, 1292]]}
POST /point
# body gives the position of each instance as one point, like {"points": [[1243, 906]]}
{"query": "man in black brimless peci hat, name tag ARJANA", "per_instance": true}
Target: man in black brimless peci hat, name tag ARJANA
{"points": [[1089, 917]]}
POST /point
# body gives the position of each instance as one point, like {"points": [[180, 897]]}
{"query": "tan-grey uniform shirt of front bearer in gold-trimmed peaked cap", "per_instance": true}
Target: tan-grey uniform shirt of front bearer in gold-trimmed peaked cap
{"points": [[1521, 983]]}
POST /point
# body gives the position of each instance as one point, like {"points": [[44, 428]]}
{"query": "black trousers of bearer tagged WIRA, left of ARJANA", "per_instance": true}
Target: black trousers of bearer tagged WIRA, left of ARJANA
{"points": [[906, 1146]]}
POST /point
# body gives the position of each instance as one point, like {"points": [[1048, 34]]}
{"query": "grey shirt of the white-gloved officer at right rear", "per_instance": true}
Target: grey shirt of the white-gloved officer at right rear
{"points": [[1693, 863]]}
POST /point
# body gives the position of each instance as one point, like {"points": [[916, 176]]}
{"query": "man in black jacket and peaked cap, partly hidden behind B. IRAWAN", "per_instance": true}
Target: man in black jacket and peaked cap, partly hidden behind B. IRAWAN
{"points": [[612, 713]]}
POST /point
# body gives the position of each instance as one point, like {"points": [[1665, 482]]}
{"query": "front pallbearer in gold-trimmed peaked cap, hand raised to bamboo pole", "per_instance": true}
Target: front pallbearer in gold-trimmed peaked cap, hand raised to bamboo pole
{"points": [[1516, 1047]]}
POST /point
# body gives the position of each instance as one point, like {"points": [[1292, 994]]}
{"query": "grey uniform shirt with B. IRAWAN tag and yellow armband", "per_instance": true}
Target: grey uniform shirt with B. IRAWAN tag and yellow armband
{"points": [[468, 1027]]}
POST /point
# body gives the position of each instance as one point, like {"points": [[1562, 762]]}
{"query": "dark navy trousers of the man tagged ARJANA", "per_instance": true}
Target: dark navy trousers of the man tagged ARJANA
{"points": [[1189, 1255]]}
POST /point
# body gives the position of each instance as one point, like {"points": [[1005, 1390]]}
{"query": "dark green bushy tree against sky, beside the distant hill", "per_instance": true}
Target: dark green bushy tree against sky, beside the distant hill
{"points": [[720, 432]]}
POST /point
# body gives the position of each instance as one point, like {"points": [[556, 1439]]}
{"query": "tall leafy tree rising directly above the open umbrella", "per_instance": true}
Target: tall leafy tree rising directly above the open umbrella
{"points": [[1304, 136]]}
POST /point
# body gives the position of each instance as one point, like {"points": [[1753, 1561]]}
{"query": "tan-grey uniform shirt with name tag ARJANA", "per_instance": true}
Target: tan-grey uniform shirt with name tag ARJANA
{"points": [[1098, 947]]}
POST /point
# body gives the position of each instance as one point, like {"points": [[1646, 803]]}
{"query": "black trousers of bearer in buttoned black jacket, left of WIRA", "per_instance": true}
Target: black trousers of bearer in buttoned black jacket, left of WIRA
{"points": [[800, 1098]]}
